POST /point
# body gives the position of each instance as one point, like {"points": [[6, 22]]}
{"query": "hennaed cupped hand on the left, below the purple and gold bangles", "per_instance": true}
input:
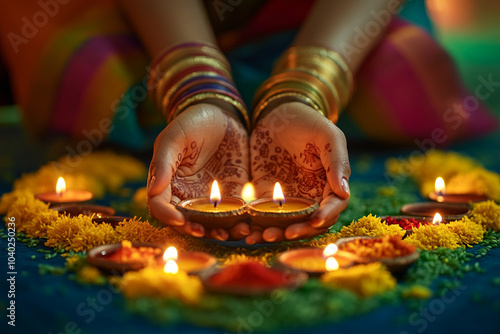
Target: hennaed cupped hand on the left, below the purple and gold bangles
{"points": [[205, 142]]}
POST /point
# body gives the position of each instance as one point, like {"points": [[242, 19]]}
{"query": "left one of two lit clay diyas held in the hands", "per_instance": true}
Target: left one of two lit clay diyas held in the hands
{"points": [[214, 212]]}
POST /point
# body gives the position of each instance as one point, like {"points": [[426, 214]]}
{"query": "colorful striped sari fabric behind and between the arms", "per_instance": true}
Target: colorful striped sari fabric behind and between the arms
{"points": [[77, 69]]}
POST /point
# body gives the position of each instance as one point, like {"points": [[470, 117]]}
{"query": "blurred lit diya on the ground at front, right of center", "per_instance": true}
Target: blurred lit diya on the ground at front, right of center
{"points": [[316, 261]]}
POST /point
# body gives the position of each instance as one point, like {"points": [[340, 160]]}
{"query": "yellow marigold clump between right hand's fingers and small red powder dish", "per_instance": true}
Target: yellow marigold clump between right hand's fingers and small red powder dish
{"points": [[370, 226]]}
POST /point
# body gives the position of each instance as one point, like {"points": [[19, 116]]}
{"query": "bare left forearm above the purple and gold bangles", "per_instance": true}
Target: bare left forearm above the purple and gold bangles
{"points": [[161, 24]]}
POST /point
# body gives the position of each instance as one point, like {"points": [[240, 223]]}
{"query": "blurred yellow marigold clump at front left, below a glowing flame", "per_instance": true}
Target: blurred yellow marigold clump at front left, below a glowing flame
{"points": [[155, 283]]}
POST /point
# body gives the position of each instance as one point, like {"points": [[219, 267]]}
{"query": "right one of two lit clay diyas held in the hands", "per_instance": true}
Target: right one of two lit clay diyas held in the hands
{"points": [[279, 212]]}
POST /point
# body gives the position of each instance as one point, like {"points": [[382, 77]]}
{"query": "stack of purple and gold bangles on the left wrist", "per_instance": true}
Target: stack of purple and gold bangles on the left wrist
{"points": [[190, 73]]}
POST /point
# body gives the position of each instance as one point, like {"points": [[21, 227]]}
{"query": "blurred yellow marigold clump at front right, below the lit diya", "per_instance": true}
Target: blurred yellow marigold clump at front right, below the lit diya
{"points": [[364, 280]]}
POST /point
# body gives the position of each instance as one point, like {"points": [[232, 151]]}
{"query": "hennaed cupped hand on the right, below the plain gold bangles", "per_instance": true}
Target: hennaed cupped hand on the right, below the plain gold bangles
{"points": [[304, 151]]}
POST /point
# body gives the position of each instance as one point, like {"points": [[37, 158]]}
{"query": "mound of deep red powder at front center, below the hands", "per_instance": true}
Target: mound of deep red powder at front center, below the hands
{"points": [[249, 274]]}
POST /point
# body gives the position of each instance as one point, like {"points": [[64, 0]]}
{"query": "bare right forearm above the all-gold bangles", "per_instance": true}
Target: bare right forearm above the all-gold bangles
{"points": [[352, 28]]}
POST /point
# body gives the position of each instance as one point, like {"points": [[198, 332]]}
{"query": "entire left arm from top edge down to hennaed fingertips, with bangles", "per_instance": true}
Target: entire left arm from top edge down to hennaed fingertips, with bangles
{"points": [[186, 151]]}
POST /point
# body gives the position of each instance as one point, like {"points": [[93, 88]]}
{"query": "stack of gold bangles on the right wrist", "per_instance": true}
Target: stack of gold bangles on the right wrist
{"points": [[313, 75]]}
